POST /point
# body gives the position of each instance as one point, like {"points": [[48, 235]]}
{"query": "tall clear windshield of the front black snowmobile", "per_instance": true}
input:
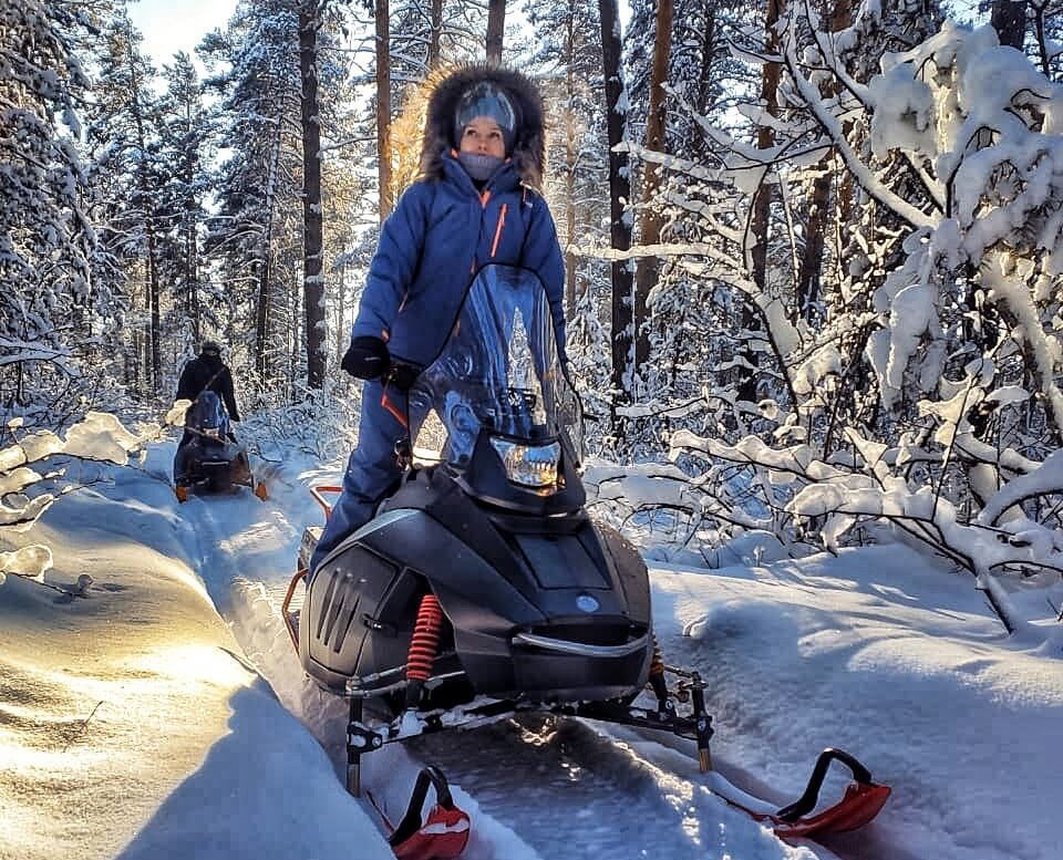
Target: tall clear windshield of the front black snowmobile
{"points": [[499, 372]]}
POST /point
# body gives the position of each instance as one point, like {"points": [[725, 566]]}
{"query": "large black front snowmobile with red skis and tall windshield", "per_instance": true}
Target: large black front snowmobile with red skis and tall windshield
{"points": [[483, 589]]}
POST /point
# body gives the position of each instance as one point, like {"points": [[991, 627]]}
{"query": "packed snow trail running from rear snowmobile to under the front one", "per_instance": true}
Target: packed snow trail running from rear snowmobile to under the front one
{"points": [[534, 789]]}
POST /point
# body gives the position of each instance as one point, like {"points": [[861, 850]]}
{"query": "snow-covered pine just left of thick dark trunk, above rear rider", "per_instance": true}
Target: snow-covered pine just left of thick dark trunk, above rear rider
{"points": [[256, 238]]}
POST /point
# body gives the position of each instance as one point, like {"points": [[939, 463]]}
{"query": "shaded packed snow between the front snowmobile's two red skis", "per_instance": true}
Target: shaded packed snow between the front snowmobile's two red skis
{"points": [[578, 786]]}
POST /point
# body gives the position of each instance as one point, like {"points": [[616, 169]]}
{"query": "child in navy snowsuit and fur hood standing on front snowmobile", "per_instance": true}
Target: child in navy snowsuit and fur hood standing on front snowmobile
{"points": [[477, 204]]}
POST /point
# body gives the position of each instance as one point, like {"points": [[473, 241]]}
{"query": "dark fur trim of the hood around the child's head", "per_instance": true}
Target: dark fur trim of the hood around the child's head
{"points": [[530, 148]]}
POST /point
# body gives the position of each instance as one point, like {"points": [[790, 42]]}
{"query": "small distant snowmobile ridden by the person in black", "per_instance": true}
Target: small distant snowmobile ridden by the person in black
{"points": [[210, 460]]}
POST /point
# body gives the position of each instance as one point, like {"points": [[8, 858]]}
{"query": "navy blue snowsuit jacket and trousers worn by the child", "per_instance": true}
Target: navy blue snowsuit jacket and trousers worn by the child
{"points": [[442, 232]]}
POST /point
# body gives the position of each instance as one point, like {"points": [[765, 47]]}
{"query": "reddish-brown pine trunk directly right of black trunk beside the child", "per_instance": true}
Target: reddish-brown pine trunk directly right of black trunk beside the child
{"points": [[650, 229]]}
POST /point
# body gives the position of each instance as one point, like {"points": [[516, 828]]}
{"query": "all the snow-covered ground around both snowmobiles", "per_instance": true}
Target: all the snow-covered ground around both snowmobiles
{"points": [[163, 713]]}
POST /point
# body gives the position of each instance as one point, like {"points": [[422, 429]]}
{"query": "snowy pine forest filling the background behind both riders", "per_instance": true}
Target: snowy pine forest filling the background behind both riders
{"points": [[815, 250]]}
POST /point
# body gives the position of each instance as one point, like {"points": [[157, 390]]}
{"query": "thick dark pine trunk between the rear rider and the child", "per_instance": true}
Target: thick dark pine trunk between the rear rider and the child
{"points": [[313, 282]]}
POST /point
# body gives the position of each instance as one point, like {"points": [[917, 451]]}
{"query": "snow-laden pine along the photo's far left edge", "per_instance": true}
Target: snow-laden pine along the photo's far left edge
{"points": [[52, 312]]}
